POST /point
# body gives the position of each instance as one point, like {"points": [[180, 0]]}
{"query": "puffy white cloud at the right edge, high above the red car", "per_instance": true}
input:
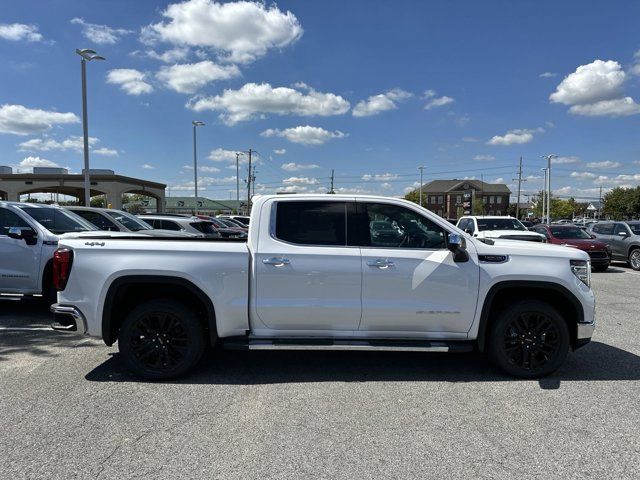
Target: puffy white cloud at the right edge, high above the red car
{"points": [[595, 89]]}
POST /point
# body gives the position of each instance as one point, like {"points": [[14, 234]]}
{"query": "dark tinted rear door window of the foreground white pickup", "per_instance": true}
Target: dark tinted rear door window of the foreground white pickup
{"points": [[311, 223]]}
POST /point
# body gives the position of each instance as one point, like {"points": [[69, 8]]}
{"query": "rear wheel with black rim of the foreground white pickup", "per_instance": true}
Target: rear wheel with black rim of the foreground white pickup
{"points": [[161, 339]]}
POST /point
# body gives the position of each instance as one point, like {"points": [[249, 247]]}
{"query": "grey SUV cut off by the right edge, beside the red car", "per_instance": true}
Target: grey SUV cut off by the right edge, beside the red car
{"points": [[623, 238]]}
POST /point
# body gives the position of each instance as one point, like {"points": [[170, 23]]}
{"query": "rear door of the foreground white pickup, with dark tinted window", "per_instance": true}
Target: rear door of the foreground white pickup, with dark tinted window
{"points": [[305, 275]]}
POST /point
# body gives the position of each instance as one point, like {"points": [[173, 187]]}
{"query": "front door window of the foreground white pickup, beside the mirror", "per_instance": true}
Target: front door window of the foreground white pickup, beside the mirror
{"points": [[398, 227]]}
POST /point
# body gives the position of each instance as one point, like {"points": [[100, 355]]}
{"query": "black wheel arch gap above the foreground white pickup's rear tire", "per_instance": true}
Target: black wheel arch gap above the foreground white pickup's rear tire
{"points": [[126, 292]]}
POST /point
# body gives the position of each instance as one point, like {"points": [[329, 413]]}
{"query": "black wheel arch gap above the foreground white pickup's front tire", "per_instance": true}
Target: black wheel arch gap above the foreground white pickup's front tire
{"points": [[502, 294]]}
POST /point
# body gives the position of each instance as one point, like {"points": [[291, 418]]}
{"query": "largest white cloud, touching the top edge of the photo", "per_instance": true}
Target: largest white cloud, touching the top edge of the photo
{"points": [[238, 31]]}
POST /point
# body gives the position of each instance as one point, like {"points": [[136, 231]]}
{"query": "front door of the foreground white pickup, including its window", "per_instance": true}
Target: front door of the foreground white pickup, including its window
{"points": [[410, 282]]}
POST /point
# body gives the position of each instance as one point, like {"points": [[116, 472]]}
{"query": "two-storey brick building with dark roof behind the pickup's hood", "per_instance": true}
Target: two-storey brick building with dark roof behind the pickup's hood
{"points": [[445, 197]]}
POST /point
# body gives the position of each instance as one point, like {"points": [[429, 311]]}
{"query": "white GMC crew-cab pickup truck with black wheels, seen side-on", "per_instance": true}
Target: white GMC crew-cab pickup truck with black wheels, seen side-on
{"points": [[314, 273]]}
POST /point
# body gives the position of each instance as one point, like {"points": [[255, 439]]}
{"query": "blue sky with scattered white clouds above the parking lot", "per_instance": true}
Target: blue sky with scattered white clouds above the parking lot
{"points": [[370, 89]]}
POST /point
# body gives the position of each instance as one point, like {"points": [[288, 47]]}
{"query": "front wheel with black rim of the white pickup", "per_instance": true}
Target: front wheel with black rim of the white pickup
{"points": [[528, 339]]}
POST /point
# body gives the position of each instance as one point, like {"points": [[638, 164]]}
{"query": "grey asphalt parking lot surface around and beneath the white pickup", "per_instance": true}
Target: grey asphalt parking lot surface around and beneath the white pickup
{"points": [[69, 410]]}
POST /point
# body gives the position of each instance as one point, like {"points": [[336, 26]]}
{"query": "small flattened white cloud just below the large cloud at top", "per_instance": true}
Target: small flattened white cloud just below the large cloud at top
{"points": [[190, 77]]}
